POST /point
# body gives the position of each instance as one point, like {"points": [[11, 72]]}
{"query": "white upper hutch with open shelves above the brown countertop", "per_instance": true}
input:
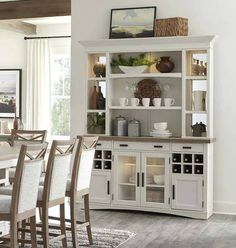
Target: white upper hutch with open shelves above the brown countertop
{"points": [[179, 84]]}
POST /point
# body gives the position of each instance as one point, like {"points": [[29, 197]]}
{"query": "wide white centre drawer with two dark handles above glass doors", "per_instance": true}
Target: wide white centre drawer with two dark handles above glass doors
{"points": [[141, 146]]}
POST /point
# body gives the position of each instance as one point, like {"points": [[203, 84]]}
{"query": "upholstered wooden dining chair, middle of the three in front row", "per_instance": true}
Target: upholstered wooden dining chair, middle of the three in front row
{"points": [[53, 191]]}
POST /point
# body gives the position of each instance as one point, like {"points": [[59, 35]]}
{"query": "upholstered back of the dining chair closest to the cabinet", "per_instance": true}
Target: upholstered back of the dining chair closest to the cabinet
{"points": [[83, 163]]}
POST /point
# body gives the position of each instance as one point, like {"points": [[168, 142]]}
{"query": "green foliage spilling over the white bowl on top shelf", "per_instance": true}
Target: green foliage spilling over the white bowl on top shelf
{"points": [[131, 61]]}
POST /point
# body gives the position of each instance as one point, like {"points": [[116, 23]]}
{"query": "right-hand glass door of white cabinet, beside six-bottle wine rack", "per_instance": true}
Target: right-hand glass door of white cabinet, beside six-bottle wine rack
{"points": [[154, 179]]}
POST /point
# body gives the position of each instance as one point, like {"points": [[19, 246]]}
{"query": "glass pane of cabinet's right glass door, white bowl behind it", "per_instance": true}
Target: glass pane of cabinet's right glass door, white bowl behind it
{"points": [[155, 179]]}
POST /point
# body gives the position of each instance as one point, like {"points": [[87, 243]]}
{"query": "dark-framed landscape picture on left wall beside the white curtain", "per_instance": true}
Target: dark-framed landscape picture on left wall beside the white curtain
{"points": [[10, 93]]}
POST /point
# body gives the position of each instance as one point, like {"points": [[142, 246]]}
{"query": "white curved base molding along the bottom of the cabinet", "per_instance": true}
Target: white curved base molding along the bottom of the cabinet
{"points": [[189, 214]]}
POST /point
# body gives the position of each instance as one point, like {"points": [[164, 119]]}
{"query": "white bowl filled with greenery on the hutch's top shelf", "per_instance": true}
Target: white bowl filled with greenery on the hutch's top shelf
{"points": [[132, 64]]}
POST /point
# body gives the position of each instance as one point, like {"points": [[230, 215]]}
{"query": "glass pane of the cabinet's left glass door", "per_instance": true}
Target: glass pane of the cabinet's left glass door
{"points": [[127, 178]]}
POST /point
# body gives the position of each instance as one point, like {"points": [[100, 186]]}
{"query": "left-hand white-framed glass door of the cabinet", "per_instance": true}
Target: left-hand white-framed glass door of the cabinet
{"points": [[127, 178]]}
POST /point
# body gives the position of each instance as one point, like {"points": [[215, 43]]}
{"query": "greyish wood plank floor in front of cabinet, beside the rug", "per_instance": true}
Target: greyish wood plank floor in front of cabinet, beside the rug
{"points": [[166, 231]]}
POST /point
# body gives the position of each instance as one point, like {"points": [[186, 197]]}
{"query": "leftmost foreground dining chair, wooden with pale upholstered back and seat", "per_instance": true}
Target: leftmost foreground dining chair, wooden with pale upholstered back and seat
{"points": [[21, 204]]}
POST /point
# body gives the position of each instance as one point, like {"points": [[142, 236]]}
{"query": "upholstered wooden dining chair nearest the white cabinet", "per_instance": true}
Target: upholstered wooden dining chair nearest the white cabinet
{"points": [[78, 186]]}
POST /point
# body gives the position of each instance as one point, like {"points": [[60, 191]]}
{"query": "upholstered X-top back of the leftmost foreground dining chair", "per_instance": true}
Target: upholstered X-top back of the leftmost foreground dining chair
{"points": [[28, 172]]}
